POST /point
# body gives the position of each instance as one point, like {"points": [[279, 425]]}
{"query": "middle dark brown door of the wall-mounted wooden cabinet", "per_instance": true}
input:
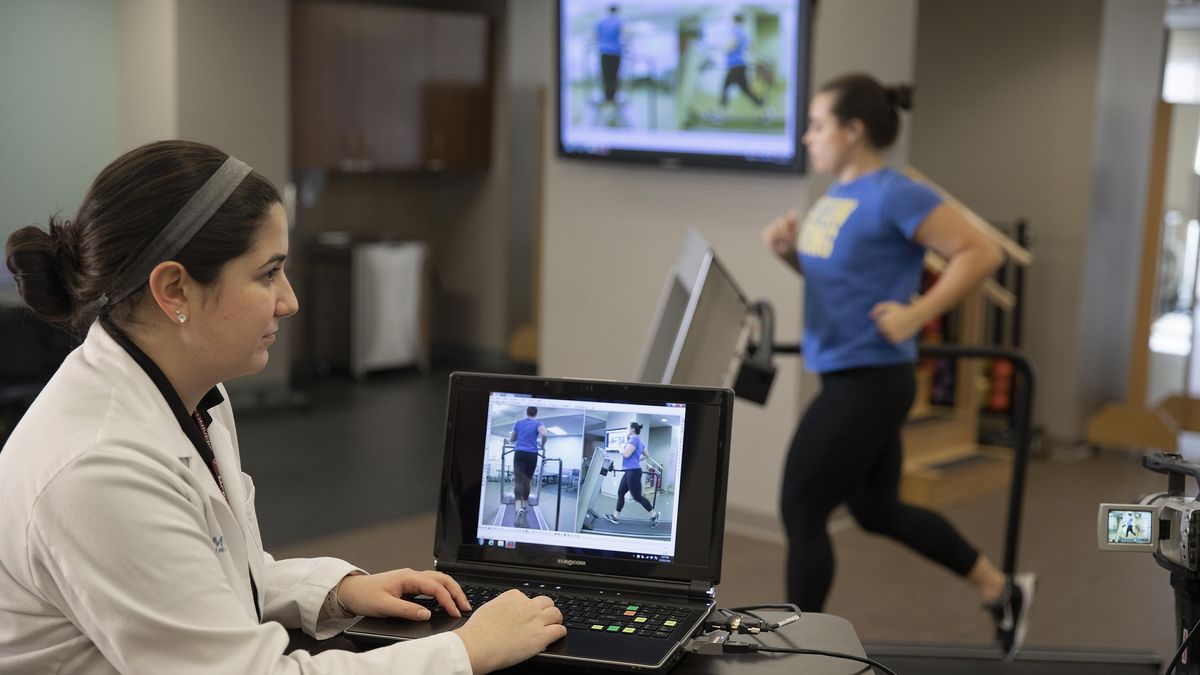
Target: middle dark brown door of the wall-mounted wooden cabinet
{"points": [[394, 61]]}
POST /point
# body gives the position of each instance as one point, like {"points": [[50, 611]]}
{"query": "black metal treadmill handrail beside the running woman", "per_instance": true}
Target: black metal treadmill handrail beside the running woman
{"points": [[1023, 421]]}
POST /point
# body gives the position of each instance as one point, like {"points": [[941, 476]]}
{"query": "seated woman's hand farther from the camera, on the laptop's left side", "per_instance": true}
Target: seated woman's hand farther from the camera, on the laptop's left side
{"points": [[380, 595]]}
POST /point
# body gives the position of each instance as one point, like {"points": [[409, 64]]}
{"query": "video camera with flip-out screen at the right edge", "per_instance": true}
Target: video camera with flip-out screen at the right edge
{"points": [[1167, 524]]}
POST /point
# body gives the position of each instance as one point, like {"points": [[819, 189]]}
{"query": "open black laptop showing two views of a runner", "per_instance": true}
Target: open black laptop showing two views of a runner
{"points": [[633, 592]]}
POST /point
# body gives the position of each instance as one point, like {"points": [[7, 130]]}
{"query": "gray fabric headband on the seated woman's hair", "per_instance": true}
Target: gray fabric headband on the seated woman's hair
{"points": [[181, 230]]}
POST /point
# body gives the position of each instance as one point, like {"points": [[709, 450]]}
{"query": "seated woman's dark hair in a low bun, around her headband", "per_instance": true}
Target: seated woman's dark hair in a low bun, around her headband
{"points": [[63, 272]]}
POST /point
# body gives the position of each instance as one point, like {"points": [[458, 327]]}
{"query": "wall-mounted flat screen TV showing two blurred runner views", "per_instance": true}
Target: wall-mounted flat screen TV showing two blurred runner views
{"points": [[685, 82]]}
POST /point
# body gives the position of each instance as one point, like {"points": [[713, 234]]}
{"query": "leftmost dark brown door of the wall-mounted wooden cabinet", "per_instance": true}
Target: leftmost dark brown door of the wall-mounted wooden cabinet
{"points": [[325, 85]]}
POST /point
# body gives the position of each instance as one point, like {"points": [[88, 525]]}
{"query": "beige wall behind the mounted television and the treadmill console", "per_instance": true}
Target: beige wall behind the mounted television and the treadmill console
{"points": [[626, 224]]}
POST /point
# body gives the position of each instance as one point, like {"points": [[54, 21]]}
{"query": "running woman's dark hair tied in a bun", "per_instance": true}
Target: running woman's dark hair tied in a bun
{"points": [[861, 97]]}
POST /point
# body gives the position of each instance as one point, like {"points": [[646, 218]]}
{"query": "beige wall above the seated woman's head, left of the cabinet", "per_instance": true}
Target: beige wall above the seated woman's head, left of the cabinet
{"points": [[213, 71]]}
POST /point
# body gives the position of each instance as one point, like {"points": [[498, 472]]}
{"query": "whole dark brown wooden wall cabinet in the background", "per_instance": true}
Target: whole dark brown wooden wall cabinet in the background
{"points": [[387, 88]]}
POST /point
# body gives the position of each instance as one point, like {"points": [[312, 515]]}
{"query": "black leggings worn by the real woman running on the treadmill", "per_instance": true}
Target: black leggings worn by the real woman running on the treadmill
{"points": [[848, 450]]}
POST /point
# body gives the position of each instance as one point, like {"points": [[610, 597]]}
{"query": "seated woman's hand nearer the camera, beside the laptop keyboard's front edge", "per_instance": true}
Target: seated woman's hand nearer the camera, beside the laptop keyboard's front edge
{"points": [[509, 630]]}
